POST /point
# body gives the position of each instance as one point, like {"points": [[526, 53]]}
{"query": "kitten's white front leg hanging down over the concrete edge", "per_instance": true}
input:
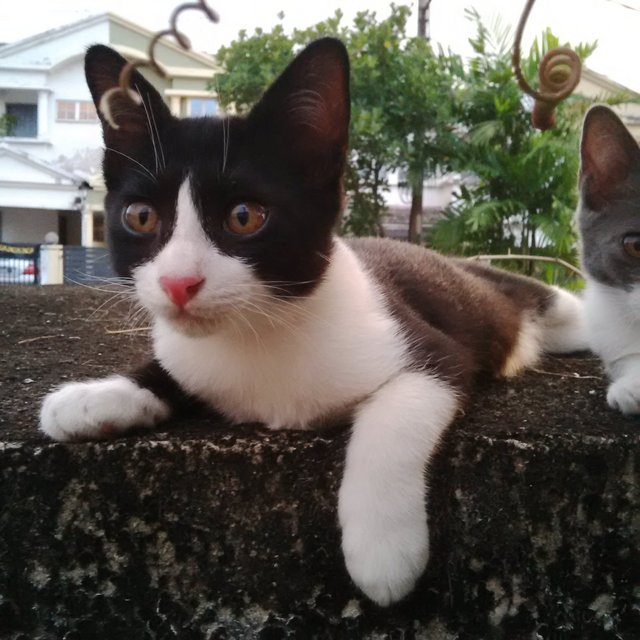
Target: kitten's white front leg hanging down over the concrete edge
{"points": [[382, 503]]}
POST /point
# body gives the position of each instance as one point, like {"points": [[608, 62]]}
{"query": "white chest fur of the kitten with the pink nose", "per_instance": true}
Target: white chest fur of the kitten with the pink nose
{"points": [[333, 350]]}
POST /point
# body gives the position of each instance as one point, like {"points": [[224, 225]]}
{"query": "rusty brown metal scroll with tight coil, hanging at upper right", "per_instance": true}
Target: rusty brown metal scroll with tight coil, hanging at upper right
{"points": [[559, 74]]}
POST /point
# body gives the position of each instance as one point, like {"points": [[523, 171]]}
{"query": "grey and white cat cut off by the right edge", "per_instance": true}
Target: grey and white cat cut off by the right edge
{"points": [[609, 225]]}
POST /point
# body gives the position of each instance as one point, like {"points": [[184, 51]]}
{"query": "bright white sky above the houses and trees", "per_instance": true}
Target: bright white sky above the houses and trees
{"points": [[615, 24]]}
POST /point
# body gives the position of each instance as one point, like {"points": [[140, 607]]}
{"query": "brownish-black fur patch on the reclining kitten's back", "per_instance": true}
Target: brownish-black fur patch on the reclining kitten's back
{"points": [[464, 318]]}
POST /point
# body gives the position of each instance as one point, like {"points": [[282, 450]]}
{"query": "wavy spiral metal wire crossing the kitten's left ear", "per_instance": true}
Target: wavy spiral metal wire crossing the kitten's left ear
{"points": [[125, 75]]}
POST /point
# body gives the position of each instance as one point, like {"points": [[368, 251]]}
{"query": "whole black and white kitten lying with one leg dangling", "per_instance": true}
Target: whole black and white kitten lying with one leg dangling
{"points": [[226, 227]]}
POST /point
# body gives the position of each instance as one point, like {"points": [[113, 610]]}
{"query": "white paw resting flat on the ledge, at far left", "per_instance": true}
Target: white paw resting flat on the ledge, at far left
{"points": [[99, 409]]}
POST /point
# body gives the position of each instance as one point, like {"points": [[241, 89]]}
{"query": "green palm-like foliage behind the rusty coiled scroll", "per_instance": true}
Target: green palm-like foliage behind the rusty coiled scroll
{"points": [[525, 195]]}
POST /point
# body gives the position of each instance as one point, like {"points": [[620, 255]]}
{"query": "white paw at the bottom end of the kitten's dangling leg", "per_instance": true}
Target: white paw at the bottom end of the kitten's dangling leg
{"points": [[386, 559]]}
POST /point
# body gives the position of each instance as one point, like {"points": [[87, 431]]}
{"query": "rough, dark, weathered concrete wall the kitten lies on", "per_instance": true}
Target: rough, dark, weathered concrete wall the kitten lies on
{"points": [[202, 530]]}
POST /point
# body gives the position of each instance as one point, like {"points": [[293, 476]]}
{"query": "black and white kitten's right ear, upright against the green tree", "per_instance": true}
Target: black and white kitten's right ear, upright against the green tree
{"points": [[305, 112]]}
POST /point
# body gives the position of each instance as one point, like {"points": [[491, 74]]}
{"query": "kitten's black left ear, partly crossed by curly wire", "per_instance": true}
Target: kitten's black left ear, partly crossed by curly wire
{"points": [[102, 70]]}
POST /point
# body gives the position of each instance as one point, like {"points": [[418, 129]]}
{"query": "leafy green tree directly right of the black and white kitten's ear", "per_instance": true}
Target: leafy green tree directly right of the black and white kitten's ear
{"points": [[404, 92]]}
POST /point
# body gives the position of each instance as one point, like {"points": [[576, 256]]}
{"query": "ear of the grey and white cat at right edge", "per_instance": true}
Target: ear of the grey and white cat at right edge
{"points": [[608, 154]]}
